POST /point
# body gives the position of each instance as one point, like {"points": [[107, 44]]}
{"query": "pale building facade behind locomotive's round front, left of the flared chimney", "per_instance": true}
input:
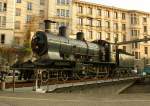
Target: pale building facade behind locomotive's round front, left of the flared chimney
{"points": [[29, 15]]}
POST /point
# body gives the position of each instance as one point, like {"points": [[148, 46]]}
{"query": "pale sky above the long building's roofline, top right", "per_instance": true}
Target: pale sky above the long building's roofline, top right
{"points": [[142, 5]]}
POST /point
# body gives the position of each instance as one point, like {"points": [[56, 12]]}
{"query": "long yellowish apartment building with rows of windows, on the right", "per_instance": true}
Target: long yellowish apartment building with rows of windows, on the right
{"points": [[113, 24]]}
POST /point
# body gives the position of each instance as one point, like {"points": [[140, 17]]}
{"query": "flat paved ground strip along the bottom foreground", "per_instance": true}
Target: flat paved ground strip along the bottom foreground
{"points": [[32, 99]]}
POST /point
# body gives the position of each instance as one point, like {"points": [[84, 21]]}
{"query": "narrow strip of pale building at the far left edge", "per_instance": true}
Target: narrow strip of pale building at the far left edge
{"points": [[6, 23]]}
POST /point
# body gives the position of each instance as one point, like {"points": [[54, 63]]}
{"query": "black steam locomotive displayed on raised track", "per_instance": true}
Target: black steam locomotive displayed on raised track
{"points": [[75, 58]]}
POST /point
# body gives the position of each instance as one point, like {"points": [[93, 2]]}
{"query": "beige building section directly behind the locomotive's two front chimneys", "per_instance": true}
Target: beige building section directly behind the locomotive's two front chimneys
{"points": [[60, 12]]}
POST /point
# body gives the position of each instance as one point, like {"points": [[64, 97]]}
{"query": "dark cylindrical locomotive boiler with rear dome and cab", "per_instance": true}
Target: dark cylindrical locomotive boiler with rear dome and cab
{"points": [[63, 48]]}
